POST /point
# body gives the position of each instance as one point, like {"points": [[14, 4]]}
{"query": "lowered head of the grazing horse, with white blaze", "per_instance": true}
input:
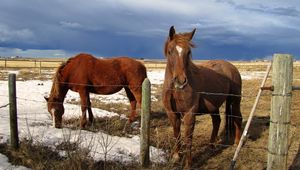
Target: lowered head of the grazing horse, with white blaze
{"points": [[56, 110]]}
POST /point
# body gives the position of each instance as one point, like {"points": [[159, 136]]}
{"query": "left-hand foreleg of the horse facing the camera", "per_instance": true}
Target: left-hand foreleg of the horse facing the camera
{"points": [[176, 123]]}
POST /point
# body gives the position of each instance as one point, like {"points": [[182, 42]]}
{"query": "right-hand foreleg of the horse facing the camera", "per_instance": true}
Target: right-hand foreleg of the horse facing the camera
{"points": [[189, 124]]}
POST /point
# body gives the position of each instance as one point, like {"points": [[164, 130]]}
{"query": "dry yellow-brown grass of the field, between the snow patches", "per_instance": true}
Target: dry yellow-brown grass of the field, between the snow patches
{"points": [[252, 156]]}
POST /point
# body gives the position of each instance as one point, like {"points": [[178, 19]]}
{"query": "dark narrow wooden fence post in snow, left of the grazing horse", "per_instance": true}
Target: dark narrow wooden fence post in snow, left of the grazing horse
{"points": [[14, 137]]}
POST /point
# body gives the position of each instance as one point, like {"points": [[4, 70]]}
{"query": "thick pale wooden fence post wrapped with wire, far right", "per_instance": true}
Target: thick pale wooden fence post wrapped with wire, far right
{"points": [[282, 77]]}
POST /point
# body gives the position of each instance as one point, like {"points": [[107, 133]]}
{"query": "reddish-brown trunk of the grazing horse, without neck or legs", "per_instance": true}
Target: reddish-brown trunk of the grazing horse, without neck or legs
{"points": [[108, 75]]}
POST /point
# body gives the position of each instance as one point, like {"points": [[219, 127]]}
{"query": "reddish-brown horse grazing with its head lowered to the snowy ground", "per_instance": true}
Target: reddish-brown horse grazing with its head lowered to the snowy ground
{"points": [[86, 74]]}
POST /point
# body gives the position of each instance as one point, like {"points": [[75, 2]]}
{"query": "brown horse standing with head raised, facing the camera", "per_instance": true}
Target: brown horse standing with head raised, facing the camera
{"points": [[189, 90]]}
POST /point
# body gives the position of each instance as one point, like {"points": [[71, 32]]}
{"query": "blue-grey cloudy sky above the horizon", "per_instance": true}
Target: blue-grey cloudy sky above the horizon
{"points": [[226, 29]]}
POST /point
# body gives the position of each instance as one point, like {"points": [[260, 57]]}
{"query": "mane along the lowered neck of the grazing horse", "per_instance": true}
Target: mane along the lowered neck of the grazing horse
{"points": [[57, 79]]}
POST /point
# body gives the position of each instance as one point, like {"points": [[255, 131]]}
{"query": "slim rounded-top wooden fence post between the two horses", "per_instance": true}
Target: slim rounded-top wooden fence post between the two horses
{"points": [[145, 123]]}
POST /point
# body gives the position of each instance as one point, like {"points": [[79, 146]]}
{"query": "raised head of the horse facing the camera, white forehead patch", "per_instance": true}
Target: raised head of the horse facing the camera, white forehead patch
{"points": [[178, 54]]}
